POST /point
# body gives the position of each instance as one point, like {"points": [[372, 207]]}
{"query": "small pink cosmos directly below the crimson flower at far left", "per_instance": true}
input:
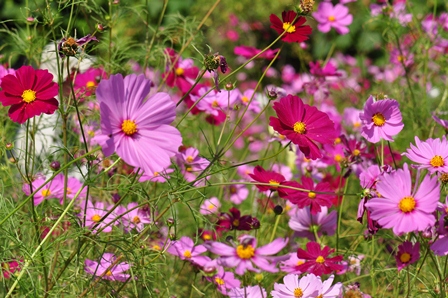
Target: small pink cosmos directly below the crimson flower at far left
{"points": [[54, 189]]}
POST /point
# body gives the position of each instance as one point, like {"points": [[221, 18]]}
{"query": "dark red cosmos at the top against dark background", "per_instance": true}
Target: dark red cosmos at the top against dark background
{"points": [[295, 30]]}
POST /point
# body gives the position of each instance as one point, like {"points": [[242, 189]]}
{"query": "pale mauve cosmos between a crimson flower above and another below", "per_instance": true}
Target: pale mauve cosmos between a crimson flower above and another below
{"points": [[303, 222]]}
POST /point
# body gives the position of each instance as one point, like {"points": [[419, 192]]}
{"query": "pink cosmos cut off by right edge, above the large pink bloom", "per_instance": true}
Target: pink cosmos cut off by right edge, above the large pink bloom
{"points": [[431, 154]]}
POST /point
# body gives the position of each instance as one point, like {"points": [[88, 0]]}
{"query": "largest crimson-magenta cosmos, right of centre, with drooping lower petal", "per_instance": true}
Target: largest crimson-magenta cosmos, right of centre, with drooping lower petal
{"points": [[303, 125]]}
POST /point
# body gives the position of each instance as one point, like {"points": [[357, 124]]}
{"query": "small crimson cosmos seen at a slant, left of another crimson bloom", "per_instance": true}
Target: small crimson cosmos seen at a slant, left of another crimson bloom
{"points": [[275, 181]]}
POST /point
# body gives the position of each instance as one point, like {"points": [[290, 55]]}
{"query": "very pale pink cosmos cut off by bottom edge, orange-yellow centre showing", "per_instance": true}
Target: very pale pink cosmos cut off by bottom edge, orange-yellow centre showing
{"points": [[293, 287]]}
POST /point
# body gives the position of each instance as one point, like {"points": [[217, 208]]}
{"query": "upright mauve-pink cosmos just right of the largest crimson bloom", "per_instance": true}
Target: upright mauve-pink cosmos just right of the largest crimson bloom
{"points": [[381, 120]]}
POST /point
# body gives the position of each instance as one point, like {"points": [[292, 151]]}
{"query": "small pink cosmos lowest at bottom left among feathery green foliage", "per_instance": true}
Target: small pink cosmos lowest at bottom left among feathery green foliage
{"points": [[101, 268]]}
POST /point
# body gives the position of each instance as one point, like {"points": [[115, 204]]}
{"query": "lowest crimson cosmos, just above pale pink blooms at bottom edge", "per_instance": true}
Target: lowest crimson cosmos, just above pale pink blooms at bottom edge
{"points": [[317, 262]]}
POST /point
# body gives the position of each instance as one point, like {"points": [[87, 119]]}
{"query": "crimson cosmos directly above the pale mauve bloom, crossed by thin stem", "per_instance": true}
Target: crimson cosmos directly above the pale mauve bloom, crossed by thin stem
{"points": [[312, 199]]}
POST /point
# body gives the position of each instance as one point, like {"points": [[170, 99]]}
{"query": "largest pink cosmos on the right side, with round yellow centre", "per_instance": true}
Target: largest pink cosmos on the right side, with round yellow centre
{"points": [[401, 207]]}
